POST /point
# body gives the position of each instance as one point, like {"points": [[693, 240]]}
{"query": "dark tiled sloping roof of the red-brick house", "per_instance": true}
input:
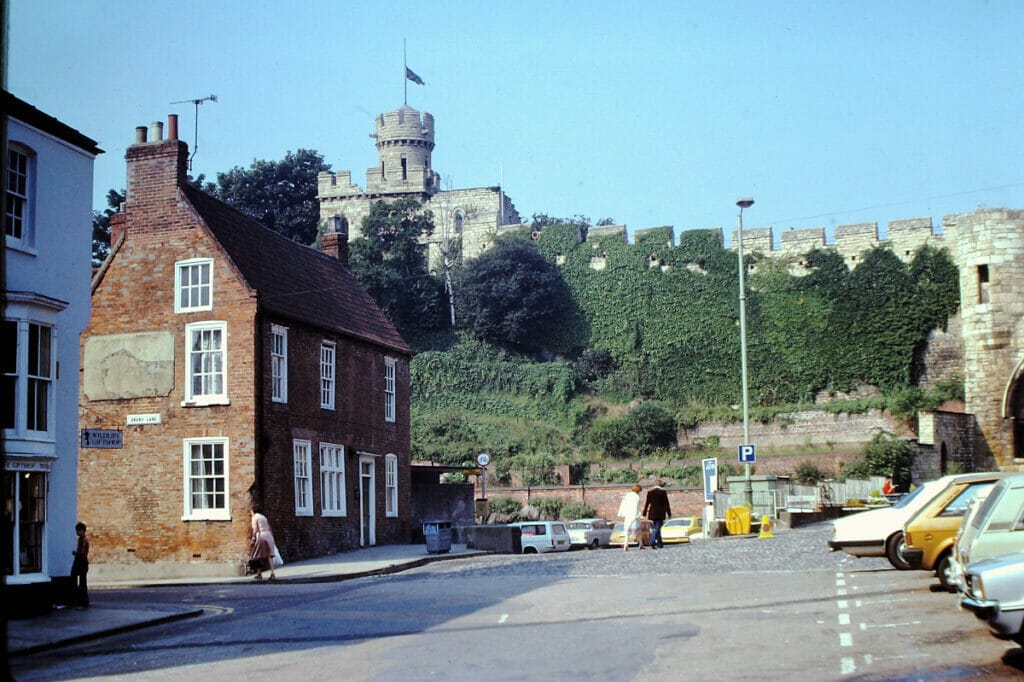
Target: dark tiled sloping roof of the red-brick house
{"points": [[294, 281]]}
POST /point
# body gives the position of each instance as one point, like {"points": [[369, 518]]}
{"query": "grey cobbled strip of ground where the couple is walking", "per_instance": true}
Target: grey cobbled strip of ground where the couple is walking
{"points": [[800, 549]]}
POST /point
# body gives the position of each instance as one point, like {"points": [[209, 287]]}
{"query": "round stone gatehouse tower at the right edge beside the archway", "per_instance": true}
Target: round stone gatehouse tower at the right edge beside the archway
{"points": [[989, 248]]}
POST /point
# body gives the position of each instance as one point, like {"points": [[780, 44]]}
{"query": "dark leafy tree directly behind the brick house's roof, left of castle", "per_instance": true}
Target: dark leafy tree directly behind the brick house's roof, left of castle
{"points": [[282, 195]]}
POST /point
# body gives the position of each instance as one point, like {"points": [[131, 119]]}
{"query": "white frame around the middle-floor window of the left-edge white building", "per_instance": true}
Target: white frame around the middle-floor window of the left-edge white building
{"points": [[24, 378]]}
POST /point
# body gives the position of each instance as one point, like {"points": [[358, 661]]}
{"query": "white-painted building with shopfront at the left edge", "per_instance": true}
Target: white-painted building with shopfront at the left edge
{"points": [[49, 242]]}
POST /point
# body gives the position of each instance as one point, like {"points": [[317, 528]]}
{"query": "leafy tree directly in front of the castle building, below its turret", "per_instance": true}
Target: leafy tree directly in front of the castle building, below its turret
{"points": [[392, 265]]}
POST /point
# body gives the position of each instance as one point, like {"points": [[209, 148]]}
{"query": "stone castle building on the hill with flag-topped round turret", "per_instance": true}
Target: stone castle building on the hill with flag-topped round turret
{"points": [[466, 221]]}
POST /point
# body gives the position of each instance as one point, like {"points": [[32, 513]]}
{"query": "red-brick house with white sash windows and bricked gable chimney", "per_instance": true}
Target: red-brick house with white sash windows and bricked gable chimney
{"points": [[244, 370]]}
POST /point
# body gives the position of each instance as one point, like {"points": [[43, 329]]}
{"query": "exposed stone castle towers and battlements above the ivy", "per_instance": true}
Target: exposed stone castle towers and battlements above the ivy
{"points": [[988, 245]]}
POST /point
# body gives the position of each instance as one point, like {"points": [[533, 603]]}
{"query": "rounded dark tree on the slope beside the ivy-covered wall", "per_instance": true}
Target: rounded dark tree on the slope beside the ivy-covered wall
{"points": [[511, 296]]}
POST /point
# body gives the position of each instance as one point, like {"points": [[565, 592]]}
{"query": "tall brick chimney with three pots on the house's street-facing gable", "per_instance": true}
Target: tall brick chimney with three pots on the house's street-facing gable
{"points": [[157, 167]]}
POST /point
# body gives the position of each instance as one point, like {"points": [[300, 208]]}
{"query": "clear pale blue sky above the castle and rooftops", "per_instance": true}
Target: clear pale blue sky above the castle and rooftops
{"points": [[649, 113]]}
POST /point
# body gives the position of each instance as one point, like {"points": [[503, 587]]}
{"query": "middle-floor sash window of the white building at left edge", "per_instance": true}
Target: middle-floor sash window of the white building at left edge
{"points": [[29, 364]]}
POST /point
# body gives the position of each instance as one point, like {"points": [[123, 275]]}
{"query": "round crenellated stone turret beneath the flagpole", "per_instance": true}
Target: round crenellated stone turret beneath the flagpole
{"points": [[405, 142]]}
